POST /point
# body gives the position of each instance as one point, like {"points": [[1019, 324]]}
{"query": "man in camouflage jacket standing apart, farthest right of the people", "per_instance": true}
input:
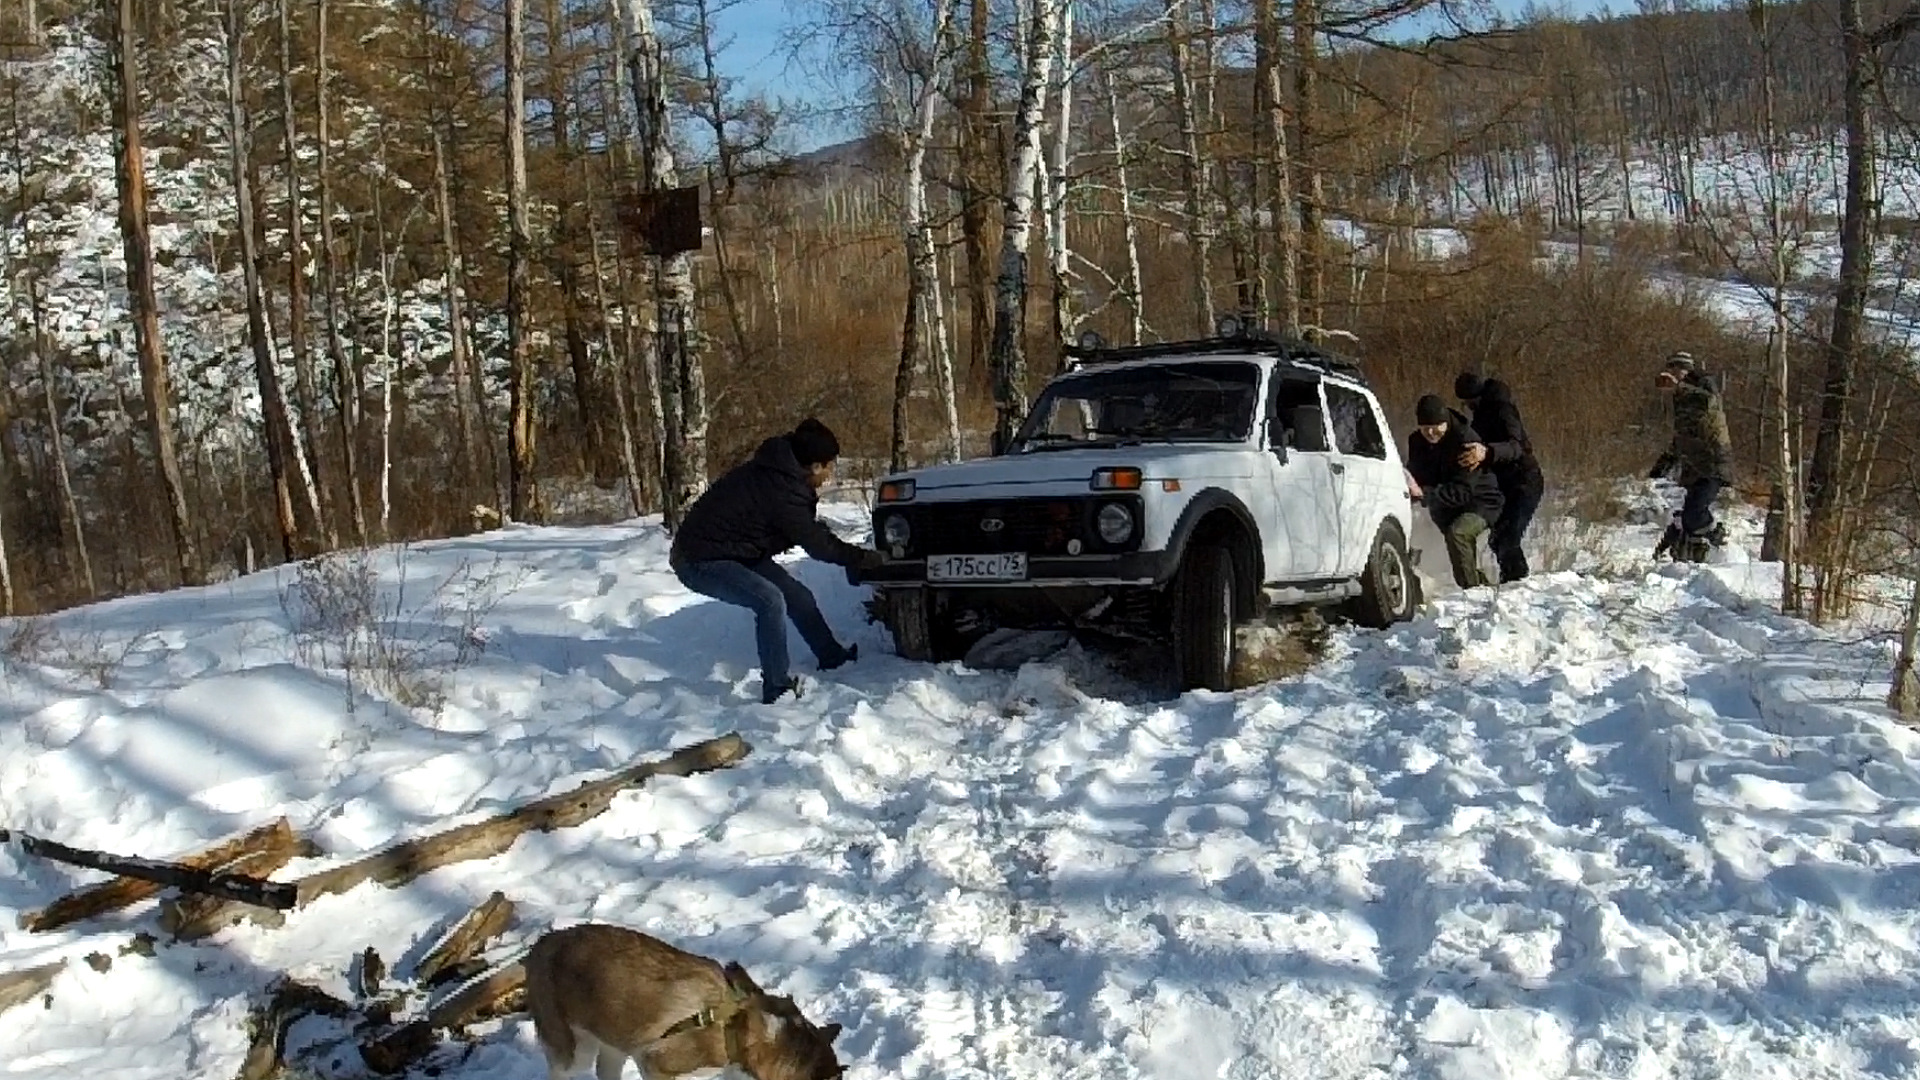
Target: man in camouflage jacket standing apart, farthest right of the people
{"points": [[1700, 456]]}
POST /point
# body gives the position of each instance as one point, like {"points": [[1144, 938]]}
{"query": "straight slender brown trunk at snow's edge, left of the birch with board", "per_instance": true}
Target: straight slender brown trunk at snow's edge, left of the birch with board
{"points": [[523, 495]]}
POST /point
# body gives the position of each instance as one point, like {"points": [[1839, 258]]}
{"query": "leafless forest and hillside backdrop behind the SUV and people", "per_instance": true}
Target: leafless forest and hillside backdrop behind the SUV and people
{"points": [[289, 276]]}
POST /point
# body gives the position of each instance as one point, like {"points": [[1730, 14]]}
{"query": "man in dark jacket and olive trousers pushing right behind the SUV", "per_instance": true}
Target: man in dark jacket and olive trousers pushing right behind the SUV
{"points": [[1464, 501]]}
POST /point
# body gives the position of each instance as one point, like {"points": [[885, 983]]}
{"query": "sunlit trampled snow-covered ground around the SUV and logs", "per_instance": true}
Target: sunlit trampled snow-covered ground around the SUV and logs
{"points": [[1591, 825]]}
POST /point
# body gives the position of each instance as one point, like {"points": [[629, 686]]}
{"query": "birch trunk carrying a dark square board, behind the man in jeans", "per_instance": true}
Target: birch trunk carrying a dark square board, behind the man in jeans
{"points": [[677, 333]]}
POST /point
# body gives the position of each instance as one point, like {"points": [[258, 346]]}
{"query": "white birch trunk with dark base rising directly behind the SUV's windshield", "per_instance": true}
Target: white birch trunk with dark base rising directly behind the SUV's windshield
{"points": [[1011, 293]]}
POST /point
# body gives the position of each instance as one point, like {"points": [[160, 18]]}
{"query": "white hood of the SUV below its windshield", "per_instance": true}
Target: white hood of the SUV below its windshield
{"points": [[1076, 466]]}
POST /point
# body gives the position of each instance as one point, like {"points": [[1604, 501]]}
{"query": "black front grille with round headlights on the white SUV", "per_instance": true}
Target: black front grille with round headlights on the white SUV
{"points": [[1040, 528]]}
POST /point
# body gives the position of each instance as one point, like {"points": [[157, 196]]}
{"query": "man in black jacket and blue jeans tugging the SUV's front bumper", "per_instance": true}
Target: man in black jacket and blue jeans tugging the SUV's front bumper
{"points": [[725, 549]]}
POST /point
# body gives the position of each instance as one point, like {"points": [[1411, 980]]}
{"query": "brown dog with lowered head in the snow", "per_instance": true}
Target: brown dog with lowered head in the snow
{"points": [[617, 994]]}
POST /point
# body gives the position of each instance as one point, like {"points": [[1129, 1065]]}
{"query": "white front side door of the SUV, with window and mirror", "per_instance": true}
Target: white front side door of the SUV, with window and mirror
{"points": [[1303, 476]]}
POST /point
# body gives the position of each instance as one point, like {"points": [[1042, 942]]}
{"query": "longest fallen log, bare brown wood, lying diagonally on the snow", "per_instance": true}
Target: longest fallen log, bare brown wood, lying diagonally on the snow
{"points": [[491, 837]]}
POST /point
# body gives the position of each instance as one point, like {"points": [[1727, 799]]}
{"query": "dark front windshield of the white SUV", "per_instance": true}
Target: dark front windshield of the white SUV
{"points": [[1164, 403]]}
